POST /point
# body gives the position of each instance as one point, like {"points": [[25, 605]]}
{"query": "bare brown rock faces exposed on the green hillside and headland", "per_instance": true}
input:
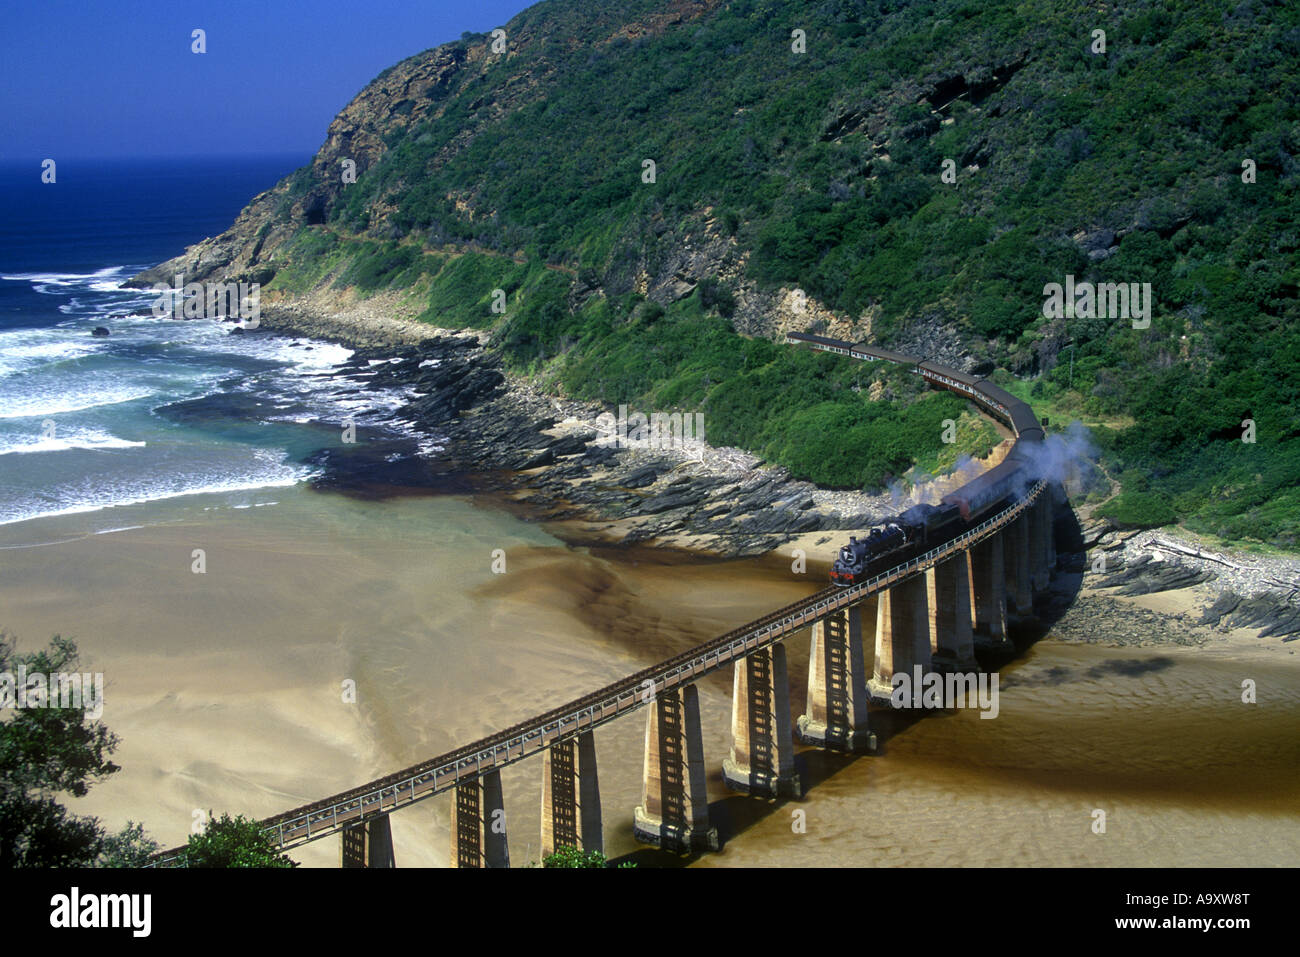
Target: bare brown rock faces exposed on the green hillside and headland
{"points": [[665, 261]]}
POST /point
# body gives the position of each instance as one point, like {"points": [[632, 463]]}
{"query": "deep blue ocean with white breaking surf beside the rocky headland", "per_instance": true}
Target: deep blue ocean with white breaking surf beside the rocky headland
{"points": [[159, 409]]}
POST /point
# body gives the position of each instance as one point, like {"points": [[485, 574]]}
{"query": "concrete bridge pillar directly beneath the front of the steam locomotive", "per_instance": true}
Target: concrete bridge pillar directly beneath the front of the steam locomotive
{"points": [[837, 713]]}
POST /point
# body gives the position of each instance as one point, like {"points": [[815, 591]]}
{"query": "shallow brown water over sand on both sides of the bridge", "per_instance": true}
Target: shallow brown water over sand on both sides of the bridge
{"points": [[227, 691]]}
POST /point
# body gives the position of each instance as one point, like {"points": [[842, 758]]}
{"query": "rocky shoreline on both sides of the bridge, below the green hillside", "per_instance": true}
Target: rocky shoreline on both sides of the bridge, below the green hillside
{"points": [[500, 435]]}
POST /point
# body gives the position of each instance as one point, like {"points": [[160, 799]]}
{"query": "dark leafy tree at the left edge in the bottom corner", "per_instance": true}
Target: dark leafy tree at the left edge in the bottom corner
{"points": [[46, 752]]}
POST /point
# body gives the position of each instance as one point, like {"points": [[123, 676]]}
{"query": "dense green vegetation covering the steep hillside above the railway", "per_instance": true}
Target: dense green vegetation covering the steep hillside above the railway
{"points": [[1124, 166]]}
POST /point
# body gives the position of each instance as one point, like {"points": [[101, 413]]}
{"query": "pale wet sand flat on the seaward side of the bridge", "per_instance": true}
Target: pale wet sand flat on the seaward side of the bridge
{"points": [[227, 687]]}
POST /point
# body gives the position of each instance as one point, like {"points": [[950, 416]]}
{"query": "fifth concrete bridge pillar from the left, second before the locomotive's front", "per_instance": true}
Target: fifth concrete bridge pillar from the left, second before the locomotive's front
{"points": [[762, 754]]}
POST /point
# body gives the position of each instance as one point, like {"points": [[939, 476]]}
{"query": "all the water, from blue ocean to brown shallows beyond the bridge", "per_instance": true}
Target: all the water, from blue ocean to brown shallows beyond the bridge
{"points": [[226, 686]]}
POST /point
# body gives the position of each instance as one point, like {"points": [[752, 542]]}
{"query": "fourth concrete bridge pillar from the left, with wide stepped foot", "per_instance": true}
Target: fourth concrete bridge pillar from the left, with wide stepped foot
{"points": [[674, 812]]}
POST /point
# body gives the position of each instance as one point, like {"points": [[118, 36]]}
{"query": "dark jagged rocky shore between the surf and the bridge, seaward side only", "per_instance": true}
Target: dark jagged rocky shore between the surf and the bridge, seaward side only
{"points": [[499, 434]]}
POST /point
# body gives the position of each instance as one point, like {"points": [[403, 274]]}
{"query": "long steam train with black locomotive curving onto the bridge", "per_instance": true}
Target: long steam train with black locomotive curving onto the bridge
{"points": [[926, 527]]}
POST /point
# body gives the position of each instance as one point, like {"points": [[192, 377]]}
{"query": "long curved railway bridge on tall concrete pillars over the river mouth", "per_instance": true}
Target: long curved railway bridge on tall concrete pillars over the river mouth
{"points": [[931, 612]]}
